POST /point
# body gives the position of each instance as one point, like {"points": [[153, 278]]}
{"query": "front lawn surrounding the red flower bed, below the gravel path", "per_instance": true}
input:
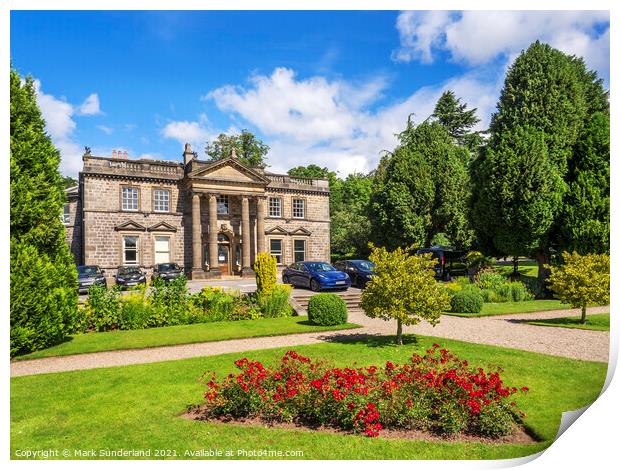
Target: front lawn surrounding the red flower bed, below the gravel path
{"points": [[138, 407]]}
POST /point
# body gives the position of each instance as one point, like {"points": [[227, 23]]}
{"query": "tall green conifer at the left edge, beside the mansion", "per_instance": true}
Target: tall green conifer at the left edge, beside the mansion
{"points": [[43, 305]]}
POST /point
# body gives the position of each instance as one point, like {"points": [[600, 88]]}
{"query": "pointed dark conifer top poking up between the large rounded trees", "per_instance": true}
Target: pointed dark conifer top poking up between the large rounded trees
{"points": [[459, 121]]}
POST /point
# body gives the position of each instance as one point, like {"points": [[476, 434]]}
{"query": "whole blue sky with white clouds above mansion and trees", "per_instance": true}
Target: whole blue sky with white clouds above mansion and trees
{"points": [[330, 88]]}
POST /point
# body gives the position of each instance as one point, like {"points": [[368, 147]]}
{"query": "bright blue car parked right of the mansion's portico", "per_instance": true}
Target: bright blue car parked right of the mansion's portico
{"points": [[316, 275]]}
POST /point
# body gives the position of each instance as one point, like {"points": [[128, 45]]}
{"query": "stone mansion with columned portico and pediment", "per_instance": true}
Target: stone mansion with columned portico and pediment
{"points": [[209, 217]]}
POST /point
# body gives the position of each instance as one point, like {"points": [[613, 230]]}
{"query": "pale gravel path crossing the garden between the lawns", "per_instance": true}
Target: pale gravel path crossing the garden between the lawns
{"points": [[507, 331]]}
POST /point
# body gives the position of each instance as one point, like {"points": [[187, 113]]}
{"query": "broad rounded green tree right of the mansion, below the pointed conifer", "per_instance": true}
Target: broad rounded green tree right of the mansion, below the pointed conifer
{"points": [[422, 189]]}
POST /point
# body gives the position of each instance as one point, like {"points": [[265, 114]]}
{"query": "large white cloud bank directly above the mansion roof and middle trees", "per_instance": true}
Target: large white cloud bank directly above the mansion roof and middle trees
{"points": [[332, 123]]}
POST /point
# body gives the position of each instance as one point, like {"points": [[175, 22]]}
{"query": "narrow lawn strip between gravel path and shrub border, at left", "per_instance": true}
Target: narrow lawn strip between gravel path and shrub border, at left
{"points": [[182, 334]]}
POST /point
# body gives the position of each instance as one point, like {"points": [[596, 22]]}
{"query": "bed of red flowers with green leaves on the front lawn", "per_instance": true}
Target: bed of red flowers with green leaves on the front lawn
{"points": [[437, 392]]}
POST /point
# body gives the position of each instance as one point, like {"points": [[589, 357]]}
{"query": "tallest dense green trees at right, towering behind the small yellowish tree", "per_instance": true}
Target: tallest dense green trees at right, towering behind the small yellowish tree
{"points": [[542, 180]]}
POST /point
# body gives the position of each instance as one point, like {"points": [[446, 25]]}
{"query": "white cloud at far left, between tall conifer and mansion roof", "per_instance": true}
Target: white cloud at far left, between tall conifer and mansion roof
{"points": [[59, 123]]}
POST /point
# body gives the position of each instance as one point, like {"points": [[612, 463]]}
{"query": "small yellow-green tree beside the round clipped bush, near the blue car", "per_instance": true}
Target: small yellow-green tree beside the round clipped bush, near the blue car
{"points": [[404, 289]]}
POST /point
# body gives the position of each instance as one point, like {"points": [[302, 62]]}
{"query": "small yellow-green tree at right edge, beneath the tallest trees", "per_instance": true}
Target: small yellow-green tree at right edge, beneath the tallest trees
{"points": [[581, 281]]}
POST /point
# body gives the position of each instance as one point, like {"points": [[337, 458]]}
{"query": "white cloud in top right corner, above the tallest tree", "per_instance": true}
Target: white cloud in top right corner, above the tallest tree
{"points": [[477, 37]]}
